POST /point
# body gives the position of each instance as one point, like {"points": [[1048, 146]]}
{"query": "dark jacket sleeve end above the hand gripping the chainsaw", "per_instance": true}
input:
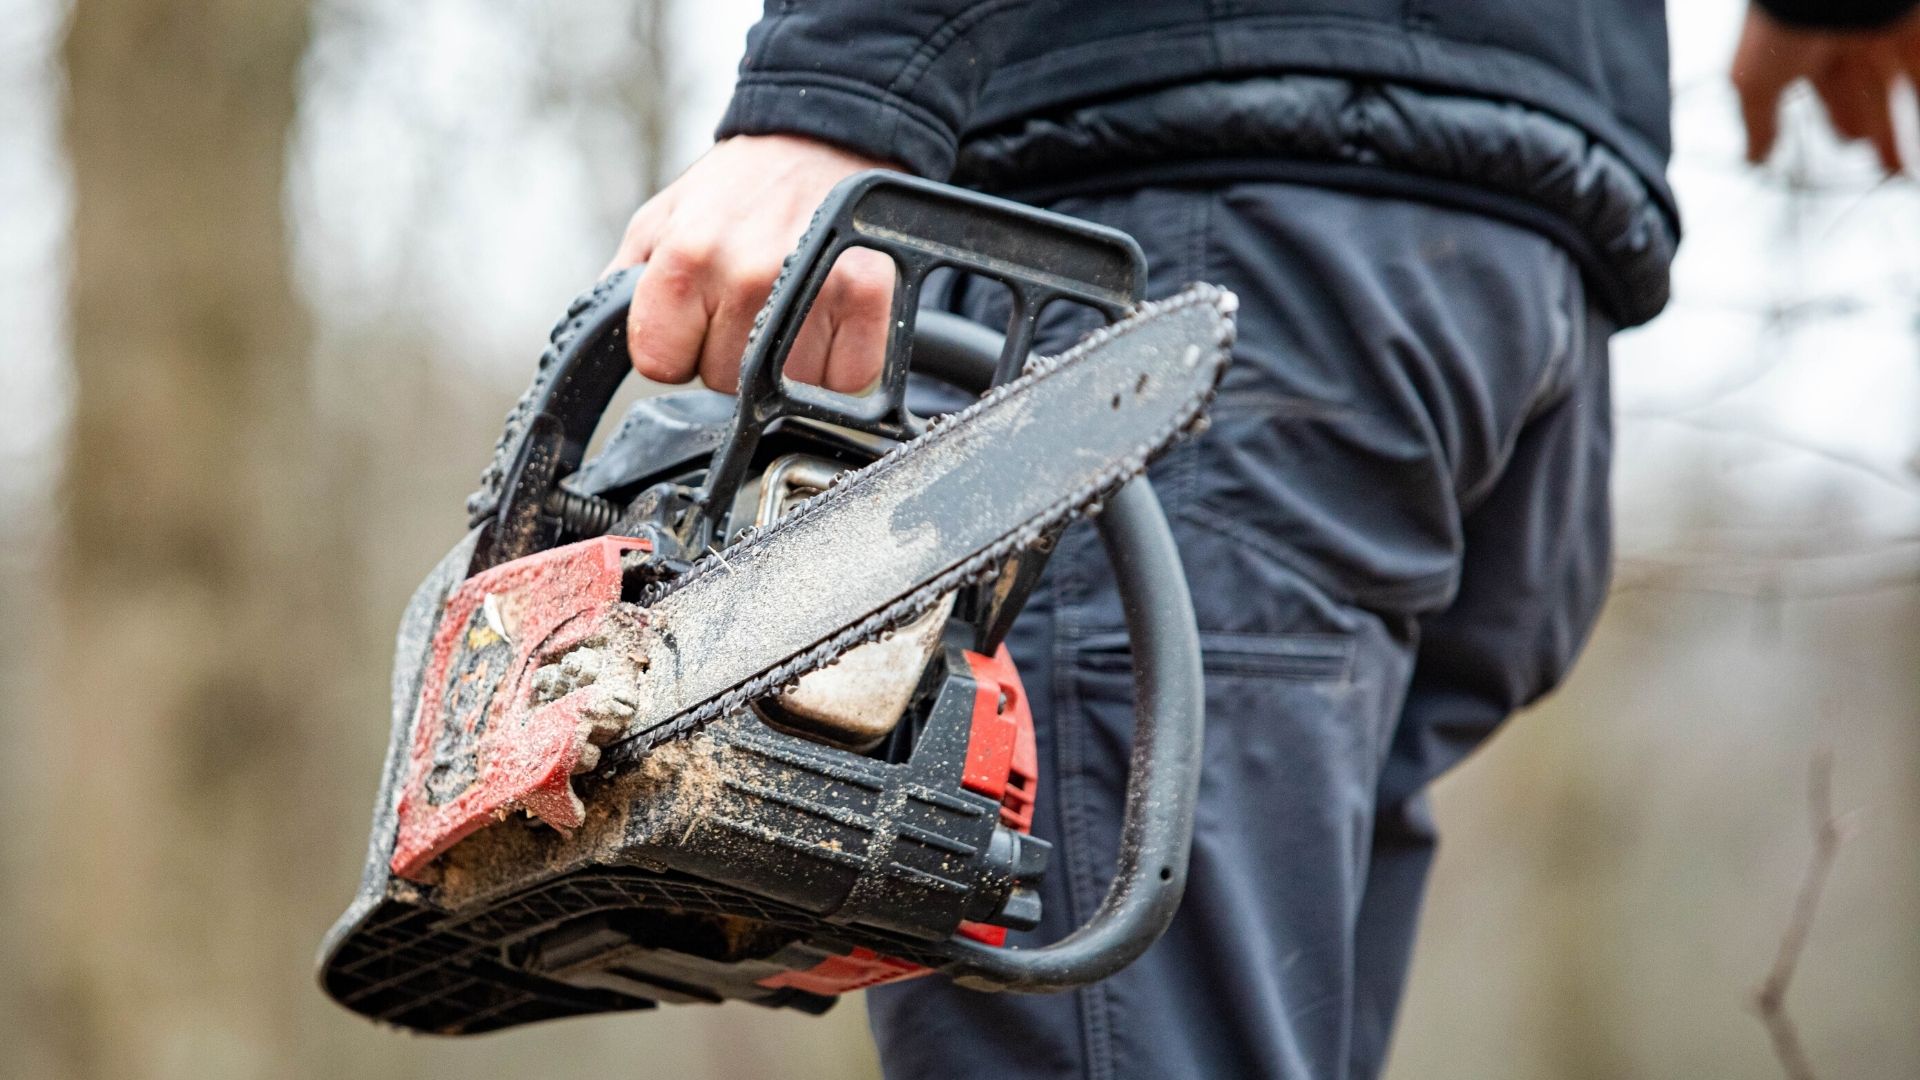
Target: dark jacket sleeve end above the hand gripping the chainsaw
{"points": [[892, 80]]}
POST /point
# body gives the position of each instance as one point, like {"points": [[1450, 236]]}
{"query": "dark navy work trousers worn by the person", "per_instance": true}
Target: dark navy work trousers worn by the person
{"points": [[1397, 533]]}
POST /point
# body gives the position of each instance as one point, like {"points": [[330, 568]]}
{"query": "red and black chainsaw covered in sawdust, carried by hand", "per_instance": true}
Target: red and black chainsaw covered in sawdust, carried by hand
{"points": [[725, 712]]}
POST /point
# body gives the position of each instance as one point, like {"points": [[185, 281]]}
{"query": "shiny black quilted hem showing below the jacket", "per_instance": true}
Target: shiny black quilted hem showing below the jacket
{"points": [[1493, 159]]}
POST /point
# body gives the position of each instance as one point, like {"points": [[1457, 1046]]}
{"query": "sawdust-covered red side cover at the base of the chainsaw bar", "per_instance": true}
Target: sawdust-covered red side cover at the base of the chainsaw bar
{"points": [[481, 749]]}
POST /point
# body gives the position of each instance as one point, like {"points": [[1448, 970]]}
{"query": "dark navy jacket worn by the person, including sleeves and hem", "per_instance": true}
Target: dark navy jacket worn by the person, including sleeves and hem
{"points": [[1552, 114]]}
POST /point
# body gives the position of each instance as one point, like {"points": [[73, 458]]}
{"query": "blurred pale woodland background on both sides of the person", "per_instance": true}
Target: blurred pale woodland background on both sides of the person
{"points": [[270, 274]]}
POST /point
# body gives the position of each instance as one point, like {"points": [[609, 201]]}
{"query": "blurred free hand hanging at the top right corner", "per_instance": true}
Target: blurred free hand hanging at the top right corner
{"points": [[1854, 72]]}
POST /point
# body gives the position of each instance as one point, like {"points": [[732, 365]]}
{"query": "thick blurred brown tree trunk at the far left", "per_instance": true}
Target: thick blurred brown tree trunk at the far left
{"points": [[185, 554]]}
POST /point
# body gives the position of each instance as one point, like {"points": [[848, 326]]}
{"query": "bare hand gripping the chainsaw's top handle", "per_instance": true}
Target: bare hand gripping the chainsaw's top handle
{"points": [[713, 243]]}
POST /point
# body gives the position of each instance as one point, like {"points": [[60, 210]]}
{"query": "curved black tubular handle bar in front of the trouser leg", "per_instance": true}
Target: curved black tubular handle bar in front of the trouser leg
{"points": [[1168, 722]]}
